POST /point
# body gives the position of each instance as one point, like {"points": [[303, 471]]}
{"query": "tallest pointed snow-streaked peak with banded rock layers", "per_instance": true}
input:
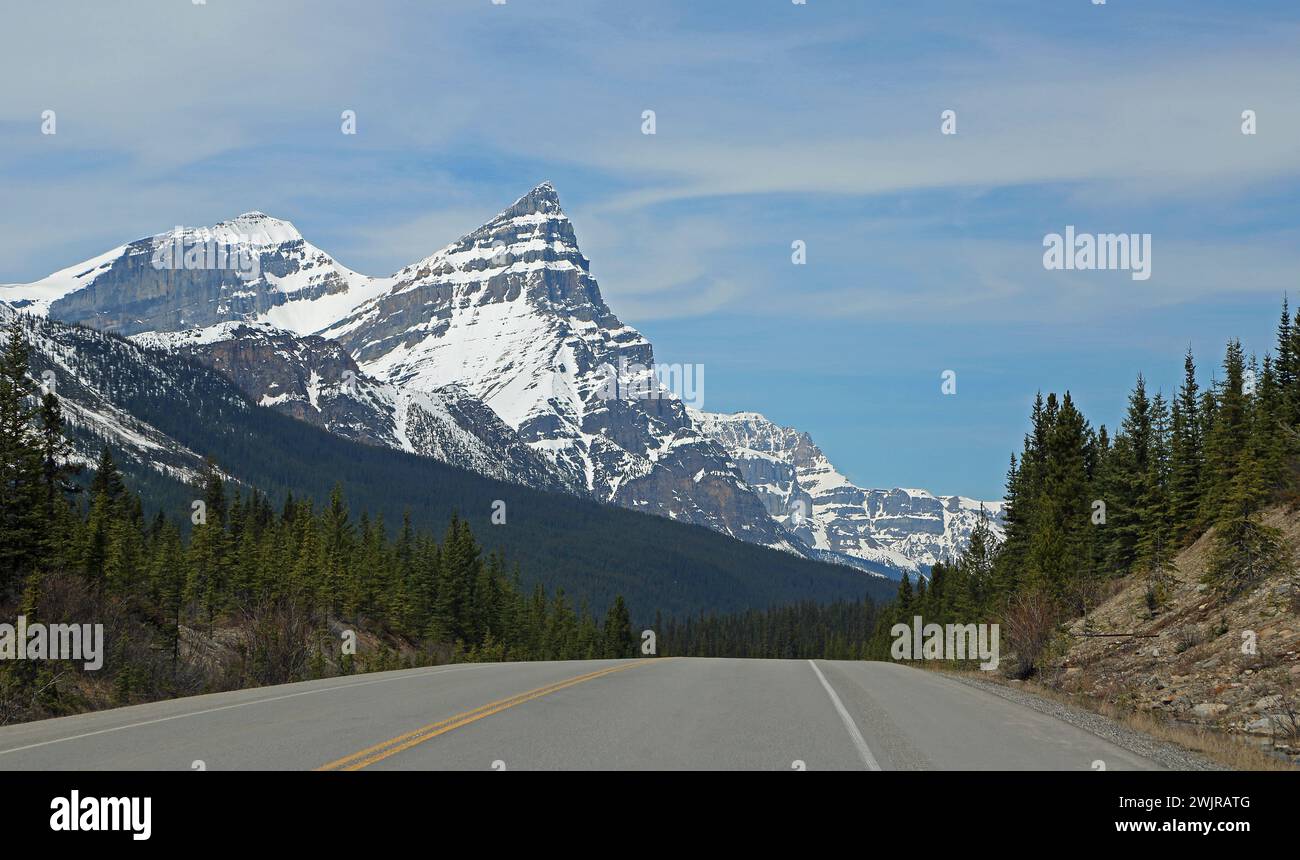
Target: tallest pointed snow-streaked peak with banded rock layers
{"points": [[513, 314]]}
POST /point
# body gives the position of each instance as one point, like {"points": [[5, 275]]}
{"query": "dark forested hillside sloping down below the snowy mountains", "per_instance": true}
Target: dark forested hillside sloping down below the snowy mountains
{"points": [[560, 541]]}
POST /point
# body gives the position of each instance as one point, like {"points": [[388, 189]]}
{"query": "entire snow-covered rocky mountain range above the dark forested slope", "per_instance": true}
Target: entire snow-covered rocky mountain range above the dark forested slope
{"points": [[496, 354]]}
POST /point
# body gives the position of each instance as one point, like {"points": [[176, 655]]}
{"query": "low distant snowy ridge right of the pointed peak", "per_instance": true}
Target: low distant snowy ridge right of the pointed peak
{"points": [[803, 490]]}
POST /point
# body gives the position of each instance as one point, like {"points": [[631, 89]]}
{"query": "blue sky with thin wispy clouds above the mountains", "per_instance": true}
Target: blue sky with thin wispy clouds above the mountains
{"points": [[777, 123]]}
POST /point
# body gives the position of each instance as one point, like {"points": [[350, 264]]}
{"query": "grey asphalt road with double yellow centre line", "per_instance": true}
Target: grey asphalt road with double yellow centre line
{"points": [[658, 714]]}
